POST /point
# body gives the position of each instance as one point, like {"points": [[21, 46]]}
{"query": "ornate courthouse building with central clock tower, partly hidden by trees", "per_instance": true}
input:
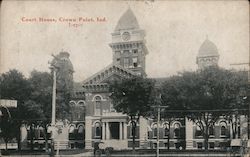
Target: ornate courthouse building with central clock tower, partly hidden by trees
{"points": [[95, 120]]}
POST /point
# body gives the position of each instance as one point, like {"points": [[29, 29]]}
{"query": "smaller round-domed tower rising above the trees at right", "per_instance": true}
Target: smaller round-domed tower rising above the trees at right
{"points": [[208, 55]]}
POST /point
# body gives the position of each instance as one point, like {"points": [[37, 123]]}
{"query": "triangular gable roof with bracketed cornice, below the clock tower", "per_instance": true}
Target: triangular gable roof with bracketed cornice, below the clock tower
{"points": [[111, 70]]}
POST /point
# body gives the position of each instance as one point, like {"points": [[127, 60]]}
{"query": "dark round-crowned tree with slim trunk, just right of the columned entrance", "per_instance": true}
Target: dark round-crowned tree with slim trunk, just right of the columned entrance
{"points": [[133, 97]]}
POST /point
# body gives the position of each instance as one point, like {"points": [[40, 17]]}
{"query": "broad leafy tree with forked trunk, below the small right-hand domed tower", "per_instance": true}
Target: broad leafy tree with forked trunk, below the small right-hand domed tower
{"points": [[206, 91]]}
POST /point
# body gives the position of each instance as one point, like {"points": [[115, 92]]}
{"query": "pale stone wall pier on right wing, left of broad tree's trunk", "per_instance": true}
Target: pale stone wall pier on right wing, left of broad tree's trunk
{"points": [[189, 133]]}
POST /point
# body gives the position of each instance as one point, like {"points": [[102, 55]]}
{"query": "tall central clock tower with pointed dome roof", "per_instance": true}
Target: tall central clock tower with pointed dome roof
{"points": [[128, 44]]}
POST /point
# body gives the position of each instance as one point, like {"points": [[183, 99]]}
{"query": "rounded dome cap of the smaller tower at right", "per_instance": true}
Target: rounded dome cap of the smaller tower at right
{"points": [[208, 49]]}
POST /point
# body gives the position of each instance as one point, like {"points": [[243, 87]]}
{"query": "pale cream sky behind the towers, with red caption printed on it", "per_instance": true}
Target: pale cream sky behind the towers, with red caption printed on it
{"points": [[174, 30]]}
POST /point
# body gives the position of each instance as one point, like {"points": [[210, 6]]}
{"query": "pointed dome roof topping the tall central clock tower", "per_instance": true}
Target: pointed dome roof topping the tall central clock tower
{"points": [[127, 21]]}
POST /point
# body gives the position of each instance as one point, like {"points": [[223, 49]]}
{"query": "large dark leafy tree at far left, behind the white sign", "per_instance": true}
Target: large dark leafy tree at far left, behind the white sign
{"points": [[29, 102]]}
